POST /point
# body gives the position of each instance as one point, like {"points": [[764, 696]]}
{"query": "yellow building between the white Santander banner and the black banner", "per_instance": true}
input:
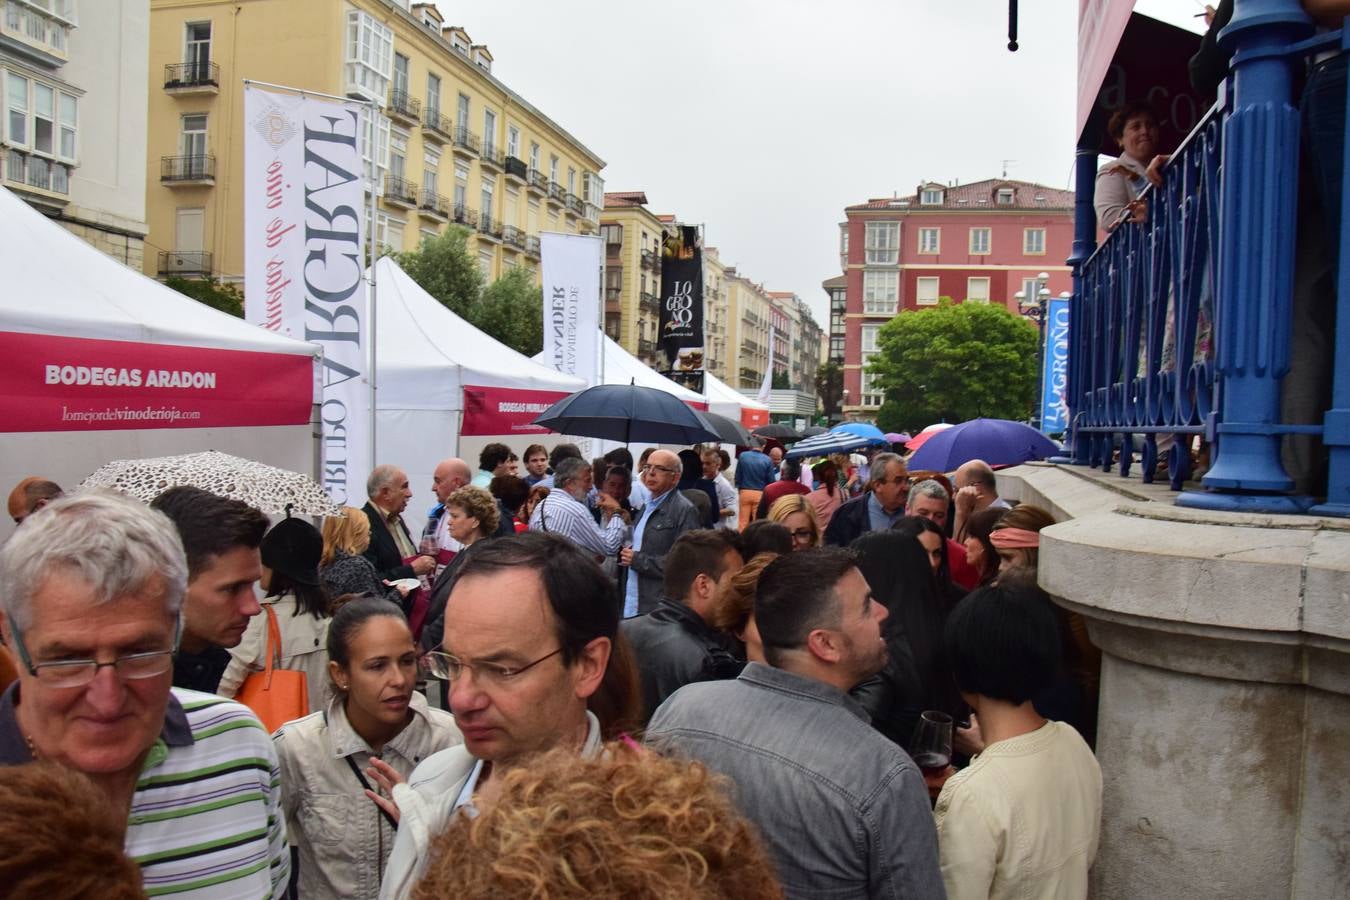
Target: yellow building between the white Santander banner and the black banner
{"points": [[632, 275]]}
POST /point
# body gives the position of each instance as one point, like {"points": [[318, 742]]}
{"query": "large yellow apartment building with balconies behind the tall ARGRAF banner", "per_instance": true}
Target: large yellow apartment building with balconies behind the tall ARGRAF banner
{"points": [[453, 145]]}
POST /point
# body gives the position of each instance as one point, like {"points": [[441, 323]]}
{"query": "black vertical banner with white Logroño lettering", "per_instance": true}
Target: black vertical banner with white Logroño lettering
{"points": [[682, 307]]}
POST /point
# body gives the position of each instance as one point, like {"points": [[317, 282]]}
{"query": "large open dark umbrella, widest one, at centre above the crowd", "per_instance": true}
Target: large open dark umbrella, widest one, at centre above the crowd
{"points": [[627, 414]]}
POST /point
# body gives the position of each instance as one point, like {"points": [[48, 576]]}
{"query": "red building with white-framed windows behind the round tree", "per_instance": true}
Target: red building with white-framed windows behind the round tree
{"points": [[982, 242]]}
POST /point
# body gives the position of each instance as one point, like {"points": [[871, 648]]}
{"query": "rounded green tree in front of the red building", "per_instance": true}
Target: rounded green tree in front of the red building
{"points": [[952, 364]]}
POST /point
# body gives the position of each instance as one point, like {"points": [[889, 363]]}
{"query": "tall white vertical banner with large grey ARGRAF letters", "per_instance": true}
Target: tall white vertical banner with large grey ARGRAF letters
{"points": [[304, 262]]}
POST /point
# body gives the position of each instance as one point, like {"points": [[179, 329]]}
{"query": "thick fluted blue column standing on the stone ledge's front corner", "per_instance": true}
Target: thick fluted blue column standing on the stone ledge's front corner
{"points": [[1256, 260]]}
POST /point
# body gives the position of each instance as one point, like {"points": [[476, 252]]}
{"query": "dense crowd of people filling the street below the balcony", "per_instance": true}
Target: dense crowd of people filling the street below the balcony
{"points": [[708, 681]]}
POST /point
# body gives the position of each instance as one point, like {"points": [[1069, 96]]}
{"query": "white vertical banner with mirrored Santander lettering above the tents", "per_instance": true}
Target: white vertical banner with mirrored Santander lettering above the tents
{"points": [[570, 266]]}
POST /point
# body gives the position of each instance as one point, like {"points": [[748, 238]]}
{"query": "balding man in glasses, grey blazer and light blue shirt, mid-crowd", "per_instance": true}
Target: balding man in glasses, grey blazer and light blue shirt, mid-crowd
{"points": [[665, 517]]}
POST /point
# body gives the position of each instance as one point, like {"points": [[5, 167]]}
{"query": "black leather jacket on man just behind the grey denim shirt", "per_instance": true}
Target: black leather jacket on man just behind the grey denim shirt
{"points": [[674, 647]]}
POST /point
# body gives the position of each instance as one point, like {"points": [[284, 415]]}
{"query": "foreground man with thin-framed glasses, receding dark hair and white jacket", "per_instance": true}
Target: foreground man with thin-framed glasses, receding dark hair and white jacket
{"points": [[531, 629]]}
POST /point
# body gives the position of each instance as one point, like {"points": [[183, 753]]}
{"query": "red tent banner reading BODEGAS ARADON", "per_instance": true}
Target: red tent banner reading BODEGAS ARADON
{"points": [[55, 384]]}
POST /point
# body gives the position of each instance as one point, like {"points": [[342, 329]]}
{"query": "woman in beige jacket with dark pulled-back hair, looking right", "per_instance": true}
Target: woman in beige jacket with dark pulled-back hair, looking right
{"points": [[342, 837]]}
